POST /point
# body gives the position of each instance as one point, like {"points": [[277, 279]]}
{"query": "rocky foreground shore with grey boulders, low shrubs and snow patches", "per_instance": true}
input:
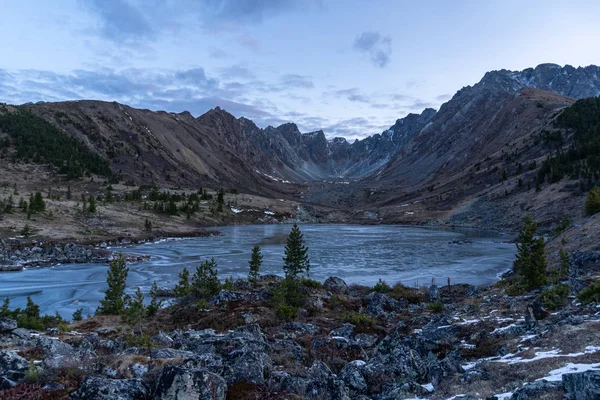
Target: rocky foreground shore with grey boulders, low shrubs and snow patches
{"points": [[350, 343]]}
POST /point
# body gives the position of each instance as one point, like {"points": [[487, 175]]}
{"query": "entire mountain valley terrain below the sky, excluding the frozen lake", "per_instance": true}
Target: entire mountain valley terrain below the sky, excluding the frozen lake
{"points": [[79, 177]]}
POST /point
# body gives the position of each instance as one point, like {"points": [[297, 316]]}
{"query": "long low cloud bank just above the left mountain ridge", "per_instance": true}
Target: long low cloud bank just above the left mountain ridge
{"points": [[175, 91]]}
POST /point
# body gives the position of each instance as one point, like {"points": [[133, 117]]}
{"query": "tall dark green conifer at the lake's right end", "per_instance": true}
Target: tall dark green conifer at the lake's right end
{"points": [[530, 264]]}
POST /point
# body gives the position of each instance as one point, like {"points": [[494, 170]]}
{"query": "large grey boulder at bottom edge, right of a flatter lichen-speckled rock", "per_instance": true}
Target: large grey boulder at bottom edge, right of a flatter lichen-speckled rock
{"points": [[180, 383]]}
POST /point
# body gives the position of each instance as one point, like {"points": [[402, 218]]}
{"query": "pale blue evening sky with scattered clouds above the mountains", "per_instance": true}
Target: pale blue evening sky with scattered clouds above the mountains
{"points": [[349, 67]]}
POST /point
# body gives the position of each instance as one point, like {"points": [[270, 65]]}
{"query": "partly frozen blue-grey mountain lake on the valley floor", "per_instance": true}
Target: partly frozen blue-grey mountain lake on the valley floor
{"points": [[356, 253]]}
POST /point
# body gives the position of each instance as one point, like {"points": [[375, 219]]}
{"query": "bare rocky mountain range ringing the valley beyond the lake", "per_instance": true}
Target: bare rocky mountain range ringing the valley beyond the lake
{"points": [[481, 125]]}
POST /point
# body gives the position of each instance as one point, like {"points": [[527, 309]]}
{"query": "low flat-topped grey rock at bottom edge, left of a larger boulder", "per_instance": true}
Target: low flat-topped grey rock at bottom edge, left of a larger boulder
{"points": [[96, 388]]}
